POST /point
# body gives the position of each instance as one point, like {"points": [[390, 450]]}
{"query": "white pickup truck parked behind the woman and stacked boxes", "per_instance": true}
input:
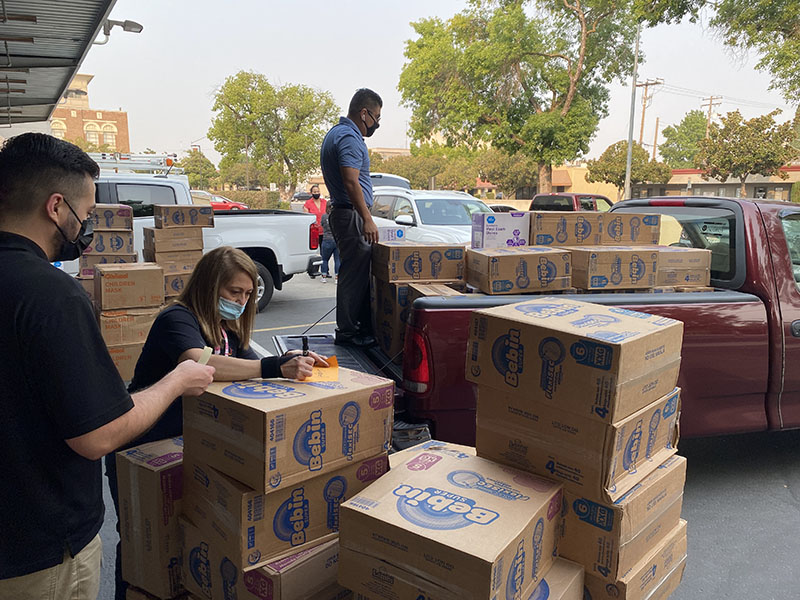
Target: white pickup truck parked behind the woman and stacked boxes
{"points": [[279, 241]]}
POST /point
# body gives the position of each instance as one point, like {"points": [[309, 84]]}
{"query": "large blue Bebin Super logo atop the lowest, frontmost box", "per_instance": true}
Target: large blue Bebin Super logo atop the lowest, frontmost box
{"points": [[437, 509]]}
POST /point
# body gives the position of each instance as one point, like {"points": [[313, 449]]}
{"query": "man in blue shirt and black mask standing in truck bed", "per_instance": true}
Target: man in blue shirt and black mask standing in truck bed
{"points": [[345, 167]]}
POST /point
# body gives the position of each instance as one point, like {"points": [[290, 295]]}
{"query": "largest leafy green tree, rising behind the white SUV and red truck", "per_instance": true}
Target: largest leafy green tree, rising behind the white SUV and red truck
{"points": [[533, 84]]}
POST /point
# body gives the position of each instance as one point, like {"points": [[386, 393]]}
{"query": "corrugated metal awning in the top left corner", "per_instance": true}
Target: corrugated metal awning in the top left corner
{"points": [[42, 45]]}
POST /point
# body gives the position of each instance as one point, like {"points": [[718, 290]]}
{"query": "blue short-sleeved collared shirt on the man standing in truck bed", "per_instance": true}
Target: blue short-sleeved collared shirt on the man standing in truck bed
{"points": [[344, 146]]}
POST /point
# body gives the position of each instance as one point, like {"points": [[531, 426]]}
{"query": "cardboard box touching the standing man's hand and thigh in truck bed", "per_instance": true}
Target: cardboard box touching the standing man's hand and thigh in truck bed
{"points": [[404, 261]]}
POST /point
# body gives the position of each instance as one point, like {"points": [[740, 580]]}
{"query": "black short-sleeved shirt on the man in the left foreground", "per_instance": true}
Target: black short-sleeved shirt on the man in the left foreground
{"points": [[57, 381]]}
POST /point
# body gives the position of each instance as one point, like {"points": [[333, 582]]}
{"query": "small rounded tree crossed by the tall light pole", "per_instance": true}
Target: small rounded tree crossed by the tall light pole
{"points": [[610, 167]]}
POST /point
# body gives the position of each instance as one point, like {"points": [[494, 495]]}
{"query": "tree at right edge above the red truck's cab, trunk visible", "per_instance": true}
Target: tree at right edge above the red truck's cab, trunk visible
{"points": [[739, 148]]}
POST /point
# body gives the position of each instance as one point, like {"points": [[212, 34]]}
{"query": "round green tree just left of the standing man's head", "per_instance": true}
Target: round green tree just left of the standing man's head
{"points": [[276, 128]]}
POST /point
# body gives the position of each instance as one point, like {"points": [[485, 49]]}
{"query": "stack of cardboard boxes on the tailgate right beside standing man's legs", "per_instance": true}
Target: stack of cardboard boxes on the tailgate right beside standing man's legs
{"points": [[395, 266]]}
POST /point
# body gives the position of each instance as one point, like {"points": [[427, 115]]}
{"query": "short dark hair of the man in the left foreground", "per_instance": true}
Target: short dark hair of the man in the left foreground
{"points": [[35, 165]]}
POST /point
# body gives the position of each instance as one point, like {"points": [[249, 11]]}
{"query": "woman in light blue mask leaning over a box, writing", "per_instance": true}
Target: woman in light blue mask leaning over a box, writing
{"points": [[217, 308]]}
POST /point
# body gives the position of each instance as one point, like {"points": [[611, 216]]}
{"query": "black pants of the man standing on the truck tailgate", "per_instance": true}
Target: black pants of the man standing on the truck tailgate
{"points": [[352, 294]]}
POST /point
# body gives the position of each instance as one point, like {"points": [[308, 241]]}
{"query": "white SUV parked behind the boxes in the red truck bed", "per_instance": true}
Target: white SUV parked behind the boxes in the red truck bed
{"points": [[436, 216]]}
